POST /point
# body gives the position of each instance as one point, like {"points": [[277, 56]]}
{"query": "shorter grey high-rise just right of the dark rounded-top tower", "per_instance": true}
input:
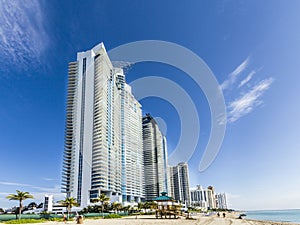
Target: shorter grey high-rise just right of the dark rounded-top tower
{"points": [[179, 183]]}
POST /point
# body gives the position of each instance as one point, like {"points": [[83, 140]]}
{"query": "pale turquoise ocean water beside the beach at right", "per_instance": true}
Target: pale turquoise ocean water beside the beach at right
{"points": [[275, 215]]}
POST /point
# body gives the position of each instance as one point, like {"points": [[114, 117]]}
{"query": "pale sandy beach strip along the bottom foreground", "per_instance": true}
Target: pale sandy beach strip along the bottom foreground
{"points": [[231, 219]]}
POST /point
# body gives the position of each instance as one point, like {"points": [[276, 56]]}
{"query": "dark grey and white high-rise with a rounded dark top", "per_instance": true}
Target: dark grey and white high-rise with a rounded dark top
{"points": [[155, 159]]}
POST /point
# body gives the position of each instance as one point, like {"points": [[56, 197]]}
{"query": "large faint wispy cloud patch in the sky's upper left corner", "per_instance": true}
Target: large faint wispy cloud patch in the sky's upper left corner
{"points": [[22, 34]]}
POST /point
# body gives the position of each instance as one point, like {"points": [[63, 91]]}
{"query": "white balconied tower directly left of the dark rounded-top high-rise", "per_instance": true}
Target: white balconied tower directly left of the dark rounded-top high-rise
{"points": [[132, 148]]}
